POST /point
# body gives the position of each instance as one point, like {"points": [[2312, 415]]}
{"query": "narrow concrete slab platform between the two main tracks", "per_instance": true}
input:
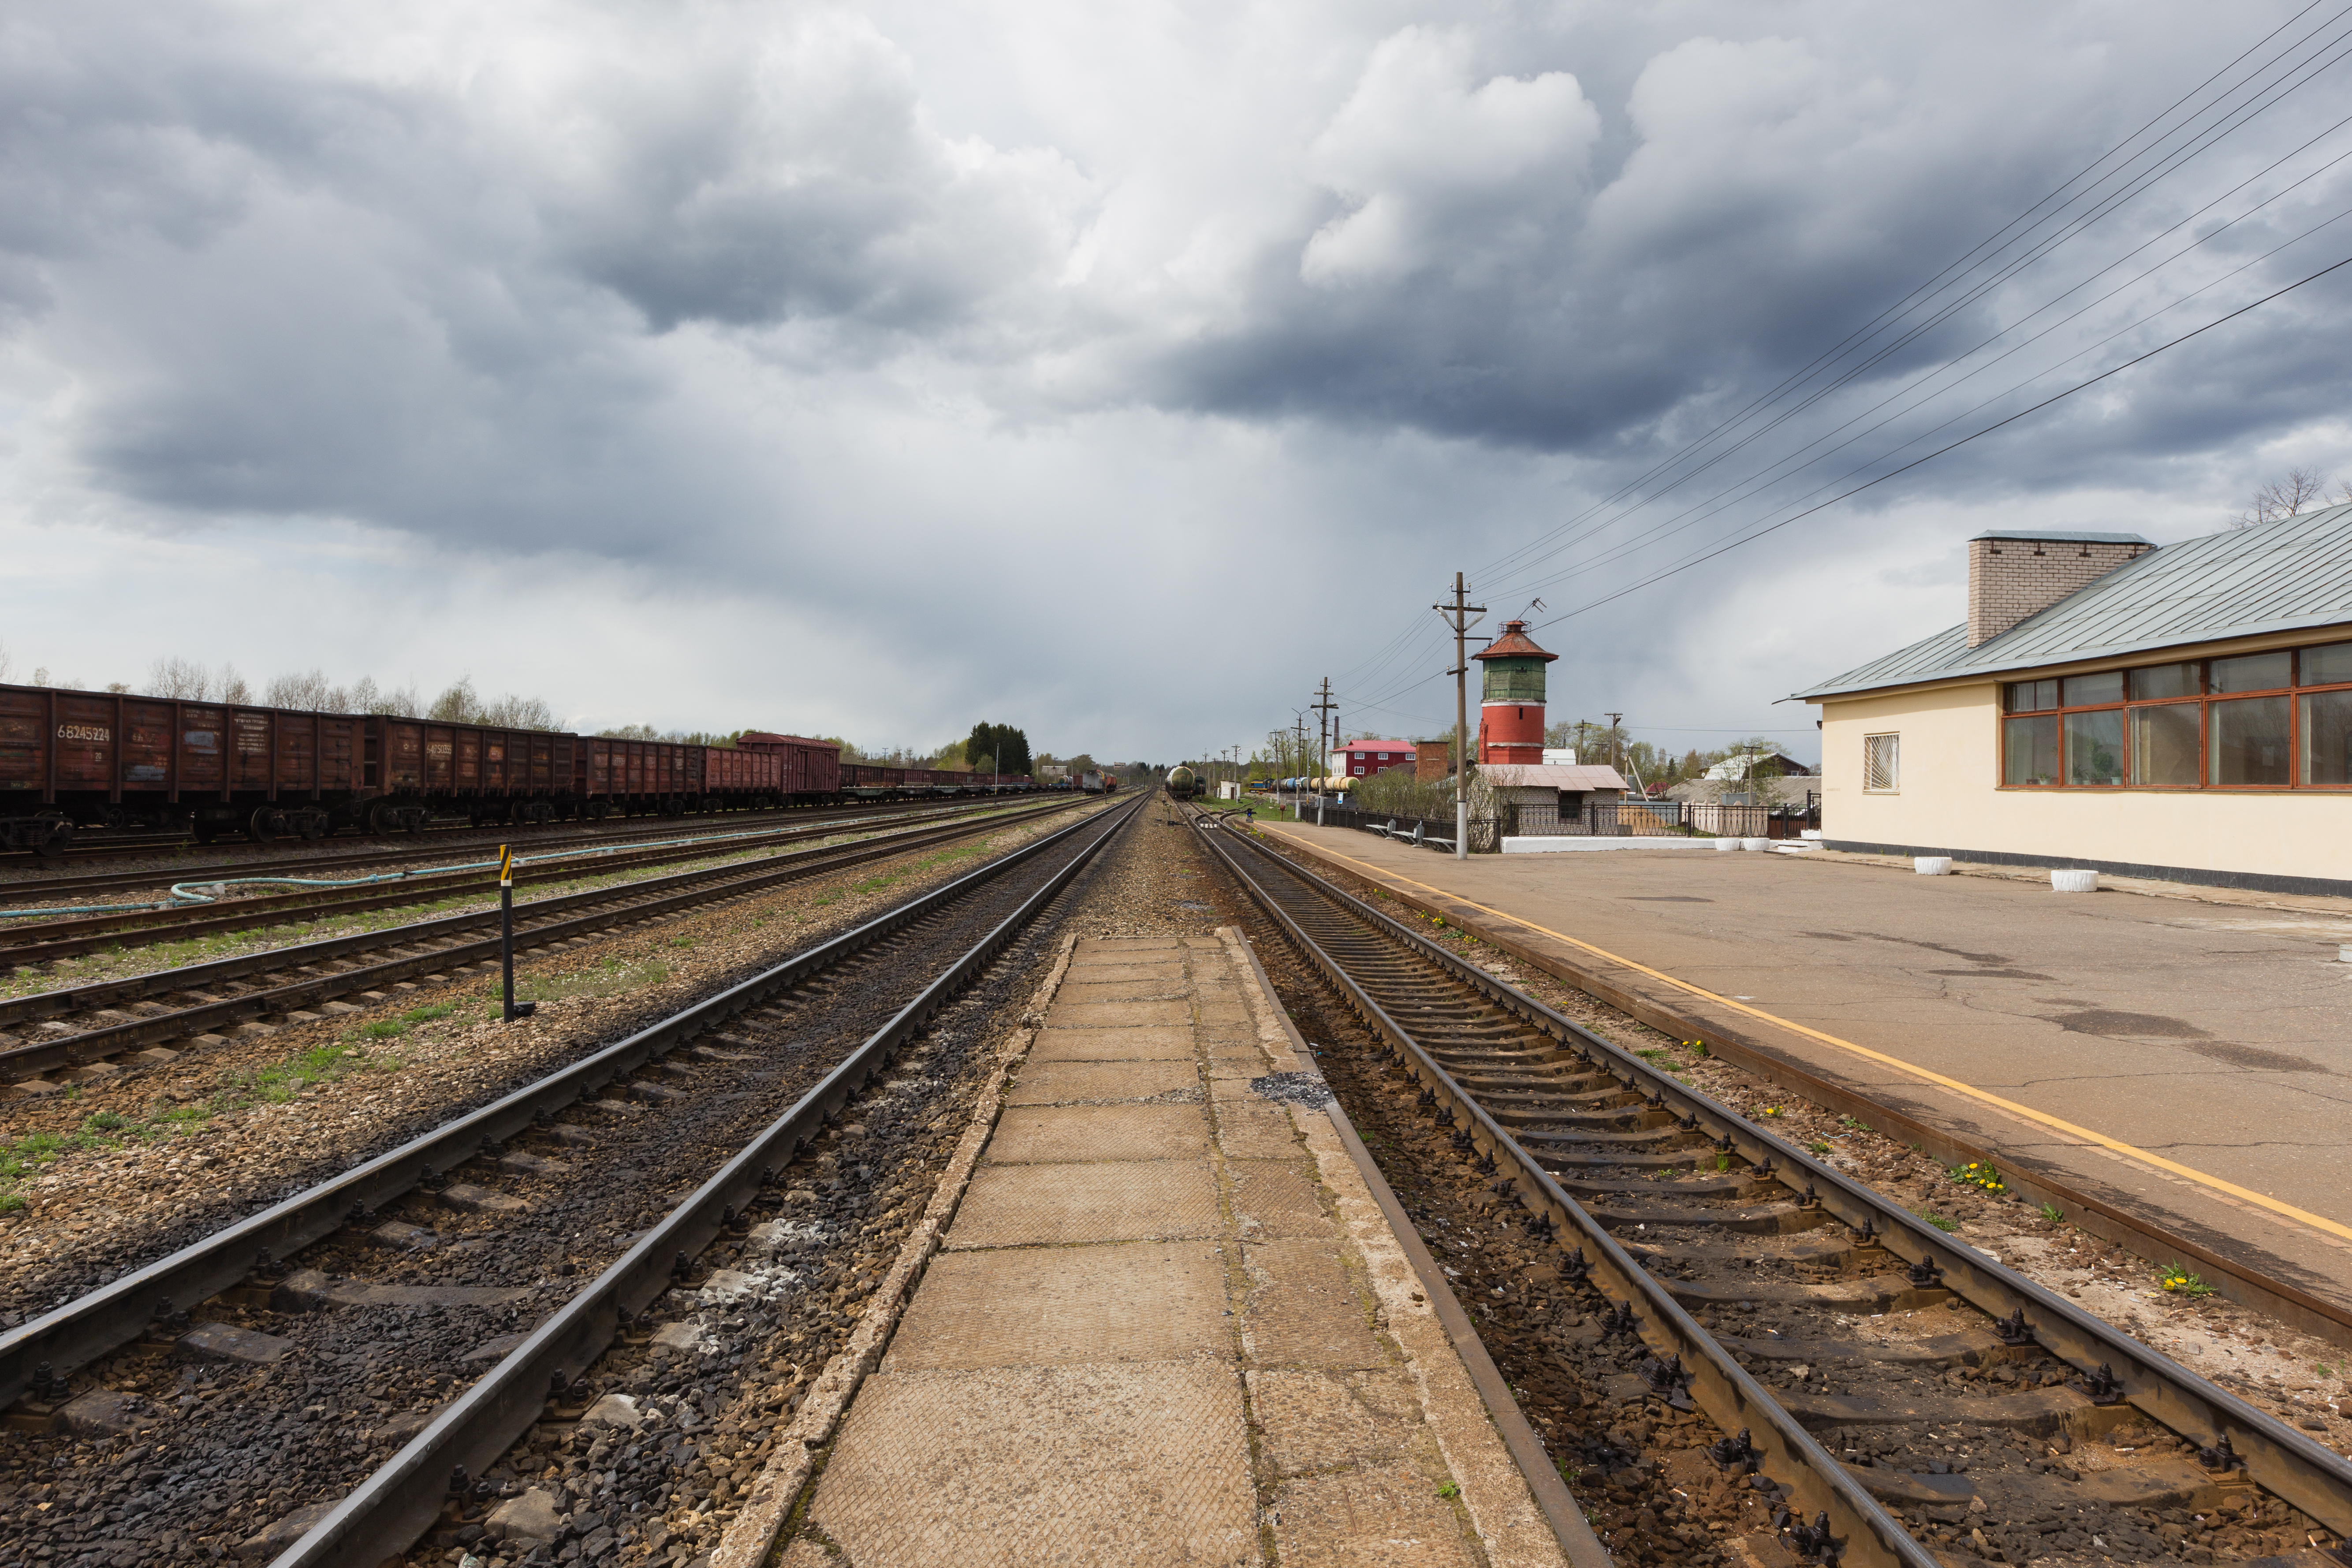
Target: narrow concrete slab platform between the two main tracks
{"points": [[1170, 1315]]}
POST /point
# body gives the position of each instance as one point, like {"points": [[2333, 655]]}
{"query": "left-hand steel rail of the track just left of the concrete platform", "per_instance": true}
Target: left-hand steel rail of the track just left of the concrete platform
{"points": [[119, 1313]]}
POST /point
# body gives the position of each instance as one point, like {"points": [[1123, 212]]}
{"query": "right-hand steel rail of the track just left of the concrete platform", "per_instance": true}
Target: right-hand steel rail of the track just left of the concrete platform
{"points": [[408, 1492]]}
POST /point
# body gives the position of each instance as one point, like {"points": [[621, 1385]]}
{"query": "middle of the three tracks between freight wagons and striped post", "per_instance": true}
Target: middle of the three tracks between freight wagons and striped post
{"points": [[34, 942]]}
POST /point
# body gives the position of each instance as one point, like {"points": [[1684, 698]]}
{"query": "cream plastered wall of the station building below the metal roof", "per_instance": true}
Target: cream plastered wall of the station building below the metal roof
{"points": [[1949, 800]]}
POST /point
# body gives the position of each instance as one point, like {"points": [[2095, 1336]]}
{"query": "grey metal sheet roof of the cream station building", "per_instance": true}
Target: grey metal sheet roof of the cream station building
{"points": [[2276, 577]]}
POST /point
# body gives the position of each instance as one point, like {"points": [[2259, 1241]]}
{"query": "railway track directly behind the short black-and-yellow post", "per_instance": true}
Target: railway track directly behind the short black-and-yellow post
{"points": [[154, 1019]]}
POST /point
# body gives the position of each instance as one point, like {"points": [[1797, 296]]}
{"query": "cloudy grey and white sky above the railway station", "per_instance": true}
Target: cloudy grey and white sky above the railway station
{"points": [[1123, 370]]}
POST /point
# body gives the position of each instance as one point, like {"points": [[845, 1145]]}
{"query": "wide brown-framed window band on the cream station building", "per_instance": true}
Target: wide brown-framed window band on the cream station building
{"points": [[2250, 723]]}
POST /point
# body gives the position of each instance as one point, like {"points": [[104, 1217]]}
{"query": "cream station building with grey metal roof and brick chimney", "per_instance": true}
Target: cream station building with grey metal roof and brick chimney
{"points": [[2153, 711]]}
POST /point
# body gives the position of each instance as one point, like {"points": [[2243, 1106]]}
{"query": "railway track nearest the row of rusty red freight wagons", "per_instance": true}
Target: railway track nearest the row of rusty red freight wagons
{"points": [[48, 883]]}
